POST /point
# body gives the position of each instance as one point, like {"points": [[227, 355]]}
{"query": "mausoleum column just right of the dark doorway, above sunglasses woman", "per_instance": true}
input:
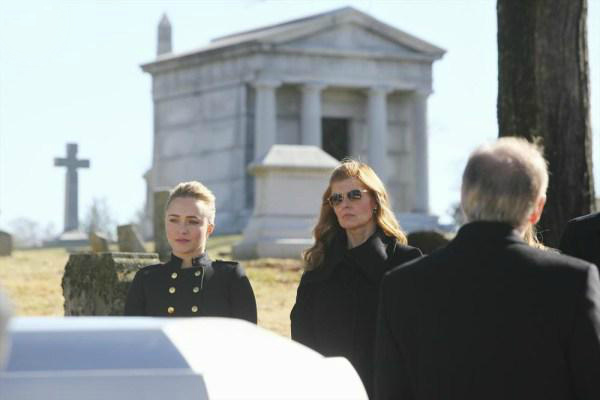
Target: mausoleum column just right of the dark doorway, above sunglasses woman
{"points": [[377, 130]]}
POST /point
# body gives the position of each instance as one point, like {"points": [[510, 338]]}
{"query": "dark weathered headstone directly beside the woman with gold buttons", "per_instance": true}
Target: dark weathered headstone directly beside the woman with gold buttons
{"points": [[97, 283]]}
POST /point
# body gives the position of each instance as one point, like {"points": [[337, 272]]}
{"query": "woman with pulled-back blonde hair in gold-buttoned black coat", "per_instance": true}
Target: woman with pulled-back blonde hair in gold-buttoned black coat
{"points": [[190, 284]]}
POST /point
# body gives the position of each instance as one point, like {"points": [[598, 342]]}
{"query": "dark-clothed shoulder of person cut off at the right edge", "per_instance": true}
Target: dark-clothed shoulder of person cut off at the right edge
{"points": [[581, 238]]}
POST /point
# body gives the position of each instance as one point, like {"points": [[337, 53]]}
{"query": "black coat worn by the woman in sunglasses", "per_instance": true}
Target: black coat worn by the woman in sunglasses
{"points": [[336, 303]]}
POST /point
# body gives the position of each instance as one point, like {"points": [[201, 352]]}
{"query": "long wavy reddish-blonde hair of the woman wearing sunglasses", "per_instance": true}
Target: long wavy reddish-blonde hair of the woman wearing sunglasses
{"points": [[327, 227]]}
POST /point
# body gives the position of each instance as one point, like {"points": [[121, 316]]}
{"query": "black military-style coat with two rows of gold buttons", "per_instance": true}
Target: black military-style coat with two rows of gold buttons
{"points": [[207, 289]]}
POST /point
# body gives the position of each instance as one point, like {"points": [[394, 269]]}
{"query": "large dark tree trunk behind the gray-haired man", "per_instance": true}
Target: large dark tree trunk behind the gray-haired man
{"points": [[543, 94]]}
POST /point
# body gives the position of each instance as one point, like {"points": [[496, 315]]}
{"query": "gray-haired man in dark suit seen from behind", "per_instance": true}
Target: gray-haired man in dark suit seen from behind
{"points": [[488, 316]]}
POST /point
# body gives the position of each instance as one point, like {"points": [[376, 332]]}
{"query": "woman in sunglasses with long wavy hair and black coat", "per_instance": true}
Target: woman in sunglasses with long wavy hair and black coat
{"points": [[357, 240]]}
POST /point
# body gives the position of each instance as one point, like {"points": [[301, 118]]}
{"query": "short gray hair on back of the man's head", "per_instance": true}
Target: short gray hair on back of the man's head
{"points": [[503, 181]]}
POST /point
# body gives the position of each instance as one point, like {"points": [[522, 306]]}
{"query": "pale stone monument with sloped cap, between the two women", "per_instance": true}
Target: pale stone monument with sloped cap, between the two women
{"points": [[289, 183]]}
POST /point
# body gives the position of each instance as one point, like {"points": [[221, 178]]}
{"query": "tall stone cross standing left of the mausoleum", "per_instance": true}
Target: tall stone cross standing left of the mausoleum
{"points": [[71, 186]]}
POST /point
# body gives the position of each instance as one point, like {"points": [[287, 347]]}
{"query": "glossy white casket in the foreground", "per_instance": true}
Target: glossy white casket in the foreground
{"points": [[114, 358]]}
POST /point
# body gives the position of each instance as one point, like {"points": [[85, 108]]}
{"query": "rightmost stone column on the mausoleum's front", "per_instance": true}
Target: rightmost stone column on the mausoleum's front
{"points": [[421, 166]]}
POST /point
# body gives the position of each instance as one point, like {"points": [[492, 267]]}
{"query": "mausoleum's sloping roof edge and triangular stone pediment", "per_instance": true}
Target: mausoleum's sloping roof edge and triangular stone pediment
{"points": [[343, 32]]}
